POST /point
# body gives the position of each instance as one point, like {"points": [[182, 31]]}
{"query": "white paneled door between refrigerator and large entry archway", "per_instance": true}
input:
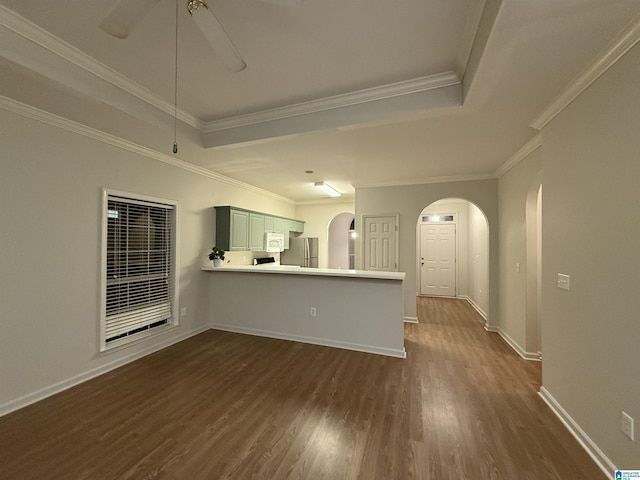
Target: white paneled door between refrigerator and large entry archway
{"points": [[380, 243]]}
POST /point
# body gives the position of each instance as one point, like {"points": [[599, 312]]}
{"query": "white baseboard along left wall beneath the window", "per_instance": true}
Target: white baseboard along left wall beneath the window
{"points": [[43, 393]]}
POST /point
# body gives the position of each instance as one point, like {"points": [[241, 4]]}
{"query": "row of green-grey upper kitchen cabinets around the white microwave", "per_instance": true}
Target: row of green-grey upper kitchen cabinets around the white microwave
{"points": [[238, 229]]}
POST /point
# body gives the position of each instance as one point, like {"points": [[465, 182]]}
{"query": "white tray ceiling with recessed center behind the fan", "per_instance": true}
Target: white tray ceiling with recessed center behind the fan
{"points": [[383, 92]]}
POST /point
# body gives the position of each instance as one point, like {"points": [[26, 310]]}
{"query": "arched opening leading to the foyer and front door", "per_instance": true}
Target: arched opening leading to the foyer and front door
{"points": [[452, 252]]}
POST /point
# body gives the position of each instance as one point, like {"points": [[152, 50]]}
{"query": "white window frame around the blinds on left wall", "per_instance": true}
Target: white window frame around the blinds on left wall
{"points": [[173, 321]]}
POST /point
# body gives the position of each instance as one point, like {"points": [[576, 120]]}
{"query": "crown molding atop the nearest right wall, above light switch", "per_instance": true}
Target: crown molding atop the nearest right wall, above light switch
{"points": [[620, 45]]}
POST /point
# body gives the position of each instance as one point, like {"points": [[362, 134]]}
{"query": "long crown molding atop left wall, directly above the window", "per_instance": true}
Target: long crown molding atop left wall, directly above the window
{"points": [[48, 118]]}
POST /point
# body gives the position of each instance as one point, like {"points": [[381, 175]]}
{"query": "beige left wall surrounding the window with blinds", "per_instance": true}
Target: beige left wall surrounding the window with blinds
{"points": [[50, 192]]}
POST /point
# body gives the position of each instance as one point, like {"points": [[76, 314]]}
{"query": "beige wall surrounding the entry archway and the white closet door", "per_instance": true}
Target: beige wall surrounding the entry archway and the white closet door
{"points": [[408, 202]]}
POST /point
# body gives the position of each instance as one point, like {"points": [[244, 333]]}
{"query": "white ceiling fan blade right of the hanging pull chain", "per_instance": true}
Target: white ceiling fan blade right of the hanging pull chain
{"points": [[213, 31]]}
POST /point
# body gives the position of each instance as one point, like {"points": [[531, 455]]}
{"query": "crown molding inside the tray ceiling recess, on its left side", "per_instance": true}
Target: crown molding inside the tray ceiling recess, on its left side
{"points": [[39, 36]]}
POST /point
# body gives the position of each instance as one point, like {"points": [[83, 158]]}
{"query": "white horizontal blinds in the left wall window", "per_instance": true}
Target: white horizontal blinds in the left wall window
{"points": [[139, 262]]}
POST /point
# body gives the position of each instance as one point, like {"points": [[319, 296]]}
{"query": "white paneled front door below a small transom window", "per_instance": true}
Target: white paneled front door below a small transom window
{"points": [[438, 259]]}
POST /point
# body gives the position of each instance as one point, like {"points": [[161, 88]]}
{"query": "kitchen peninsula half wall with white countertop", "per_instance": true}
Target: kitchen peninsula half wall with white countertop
{"points": [[351, 309]]}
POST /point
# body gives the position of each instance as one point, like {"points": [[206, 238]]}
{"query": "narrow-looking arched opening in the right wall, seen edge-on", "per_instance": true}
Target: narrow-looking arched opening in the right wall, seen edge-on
{"points": [[534, 267]]}
